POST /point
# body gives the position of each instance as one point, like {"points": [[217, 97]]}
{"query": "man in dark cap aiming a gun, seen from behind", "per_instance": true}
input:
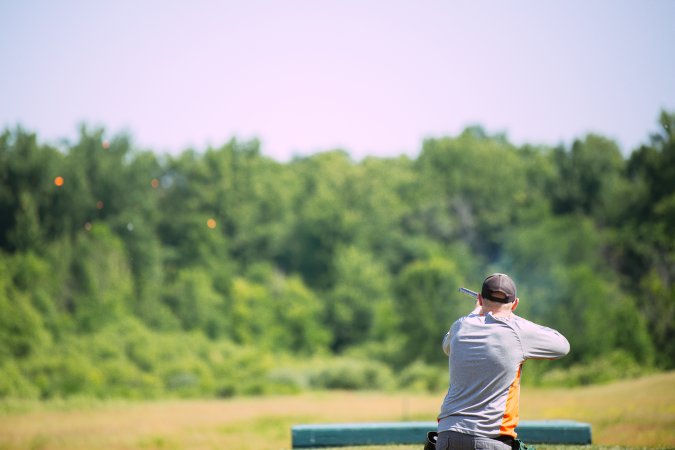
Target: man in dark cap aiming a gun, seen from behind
{"points": [[486, 351]]}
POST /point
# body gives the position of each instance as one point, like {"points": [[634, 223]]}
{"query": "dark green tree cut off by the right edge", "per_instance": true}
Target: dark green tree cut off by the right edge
{"points": [[646, 249]]}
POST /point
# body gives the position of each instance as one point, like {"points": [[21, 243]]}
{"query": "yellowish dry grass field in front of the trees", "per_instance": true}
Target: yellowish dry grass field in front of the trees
{"points": [[636, 414]]}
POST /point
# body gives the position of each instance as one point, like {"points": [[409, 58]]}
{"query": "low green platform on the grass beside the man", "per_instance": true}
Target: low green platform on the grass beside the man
{"points": [[349, 434]]}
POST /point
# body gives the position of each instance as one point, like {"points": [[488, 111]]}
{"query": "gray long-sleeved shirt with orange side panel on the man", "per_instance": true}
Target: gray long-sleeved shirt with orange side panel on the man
{"points": [[486, 354]]}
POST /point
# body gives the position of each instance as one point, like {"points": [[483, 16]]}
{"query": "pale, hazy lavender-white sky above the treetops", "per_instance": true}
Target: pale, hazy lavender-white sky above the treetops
{"points": [[374, 78]]}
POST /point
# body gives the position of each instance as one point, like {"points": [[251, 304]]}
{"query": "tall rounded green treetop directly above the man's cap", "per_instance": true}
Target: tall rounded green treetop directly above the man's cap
{"points": [[472, 189]]}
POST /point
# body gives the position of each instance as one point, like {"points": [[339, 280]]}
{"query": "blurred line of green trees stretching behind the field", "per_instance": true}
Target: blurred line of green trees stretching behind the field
{"points": [[220, 272]]}
